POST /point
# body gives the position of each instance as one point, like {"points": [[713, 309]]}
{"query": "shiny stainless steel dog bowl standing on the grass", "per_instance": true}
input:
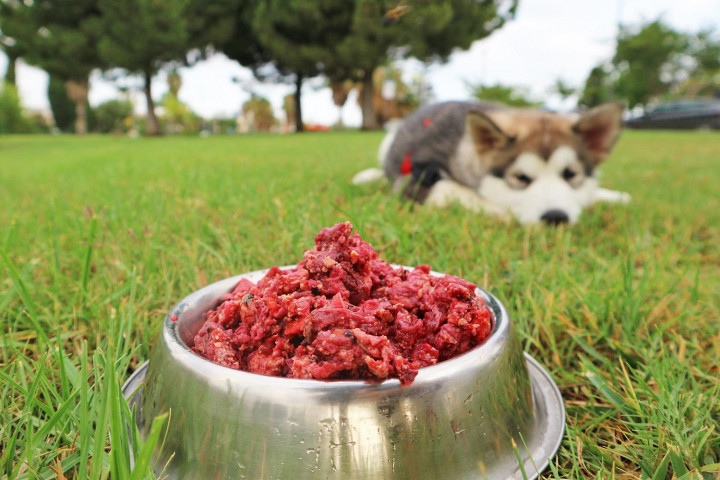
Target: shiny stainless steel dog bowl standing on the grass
{"points": [[489, 413]]}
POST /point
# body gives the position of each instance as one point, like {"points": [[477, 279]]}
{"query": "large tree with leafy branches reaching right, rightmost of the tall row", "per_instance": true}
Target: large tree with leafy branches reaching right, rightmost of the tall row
{"points": [[427, 30]]}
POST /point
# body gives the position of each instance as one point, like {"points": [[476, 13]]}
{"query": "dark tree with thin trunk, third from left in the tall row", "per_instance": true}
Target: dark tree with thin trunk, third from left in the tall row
{"points": [[300, 37]]}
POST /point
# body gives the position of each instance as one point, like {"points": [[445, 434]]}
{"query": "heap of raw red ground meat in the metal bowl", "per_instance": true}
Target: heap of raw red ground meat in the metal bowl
{"points": [[343, 313]]}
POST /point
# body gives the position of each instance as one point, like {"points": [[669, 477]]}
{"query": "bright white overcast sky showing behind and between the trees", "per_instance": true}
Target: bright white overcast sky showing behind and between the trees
{"points": [[548, 40]]}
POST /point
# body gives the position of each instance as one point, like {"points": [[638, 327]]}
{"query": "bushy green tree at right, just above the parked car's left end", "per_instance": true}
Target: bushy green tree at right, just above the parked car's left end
{"points": [[646, 62]]}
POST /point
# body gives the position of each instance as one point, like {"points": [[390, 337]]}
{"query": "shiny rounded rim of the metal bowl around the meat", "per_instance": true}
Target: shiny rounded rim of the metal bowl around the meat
{"points": [[181, 352]]}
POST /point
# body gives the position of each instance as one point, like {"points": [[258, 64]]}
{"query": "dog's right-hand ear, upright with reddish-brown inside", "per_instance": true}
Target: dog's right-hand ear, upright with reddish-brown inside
{"points": [[599, 128]]}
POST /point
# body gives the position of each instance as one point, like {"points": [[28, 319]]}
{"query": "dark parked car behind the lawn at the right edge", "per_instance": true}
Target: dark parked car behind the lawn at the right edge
{"points": [[681, 114]]}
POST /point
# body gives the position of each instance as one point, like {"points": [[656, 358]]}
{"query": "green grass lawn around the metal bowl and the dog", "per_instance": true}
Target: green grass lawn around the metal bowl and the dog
{"points": [[100, 236]]}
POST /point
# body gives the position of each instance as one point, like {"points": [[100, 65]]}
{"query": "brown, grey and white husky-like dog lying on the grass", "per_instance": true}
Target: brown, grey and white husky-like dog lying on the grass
{"points": [[532, 165]]}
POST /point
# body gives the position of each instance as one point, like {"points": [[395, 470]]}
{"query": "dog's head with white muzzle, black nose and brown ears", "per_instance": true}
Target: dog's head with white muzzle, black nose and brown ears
{"points": [[542, 166]]}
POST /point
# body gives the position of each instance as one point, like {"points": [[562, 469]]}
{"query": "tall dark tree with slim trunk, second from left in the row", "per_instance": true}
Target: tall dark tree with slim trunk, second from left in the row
{"points": [[141, 36]]}
